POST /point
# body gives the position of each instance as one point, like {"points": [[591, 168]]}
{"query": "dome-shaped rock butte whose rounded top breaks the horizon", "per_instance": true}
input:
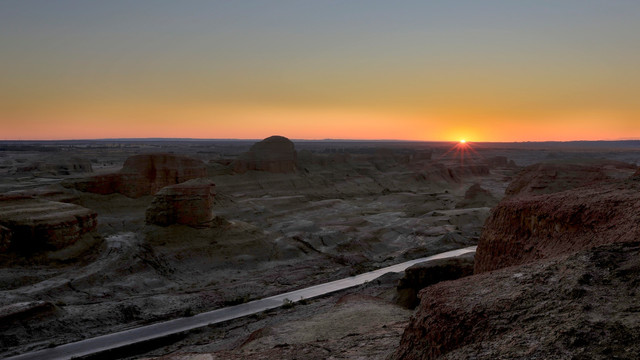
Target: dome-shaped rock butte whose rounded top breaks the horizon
{"points": [[274, 154]]}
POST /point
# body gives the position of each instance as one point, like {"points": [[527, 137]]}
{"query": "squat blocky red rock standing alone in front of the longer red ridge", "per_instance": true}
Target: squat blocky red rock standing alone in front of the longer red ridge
{"points": [[189, 203]]}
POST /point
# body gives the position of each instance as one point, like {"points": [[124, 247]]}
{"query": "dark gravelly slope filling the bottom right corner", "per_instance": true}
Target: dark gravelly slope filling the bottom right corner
{"points": [[576, 307]]}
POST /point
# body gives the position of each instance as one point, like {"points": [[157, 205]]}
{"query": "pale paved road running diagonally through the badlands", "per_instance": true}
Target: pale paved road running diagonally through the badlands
{"points": [[159, 330]]}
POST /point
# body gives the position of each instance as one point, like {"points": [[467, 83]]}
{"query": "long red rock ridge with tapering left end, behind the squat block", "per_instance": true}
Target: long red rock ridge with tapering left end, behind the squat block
{"points": [[144, 175]]}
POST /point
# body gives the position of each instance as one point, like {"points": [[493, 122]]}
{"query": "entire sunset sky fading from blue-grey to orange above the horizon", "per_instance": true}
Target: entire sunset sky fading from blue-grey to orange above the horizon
{"points": [[414, 70]]}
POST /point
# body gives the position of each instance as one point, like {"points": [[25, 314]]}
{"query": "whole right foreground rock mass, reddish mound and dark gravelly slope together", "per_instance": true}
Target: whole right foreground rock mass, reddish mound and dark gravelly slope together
{"points": [[556, 276]]}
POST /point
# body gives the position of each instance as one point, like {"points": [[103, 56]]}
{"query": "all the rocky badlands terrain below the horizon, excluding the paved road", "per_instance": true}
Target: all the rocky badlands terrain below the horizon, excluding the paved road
{"points": [[102, 236]]}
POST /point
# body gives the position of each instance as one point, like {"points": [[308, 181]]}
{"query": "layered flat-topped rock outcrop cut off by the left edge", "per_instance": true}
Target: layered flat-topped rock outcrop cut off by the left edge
{"points": [[31, 225]]}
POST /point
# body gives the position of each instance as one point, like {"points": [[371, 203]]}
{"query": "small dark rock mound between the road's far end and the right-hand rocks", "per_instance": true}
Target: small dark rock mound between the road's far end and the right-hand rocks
{"points": [[421, 275]]}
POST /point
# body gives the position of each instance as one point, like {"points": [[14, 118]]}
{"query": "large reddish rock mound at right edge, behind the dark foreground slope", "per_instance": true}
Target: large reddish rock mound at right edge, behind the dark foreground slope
{"points": [[526, 228]]}
